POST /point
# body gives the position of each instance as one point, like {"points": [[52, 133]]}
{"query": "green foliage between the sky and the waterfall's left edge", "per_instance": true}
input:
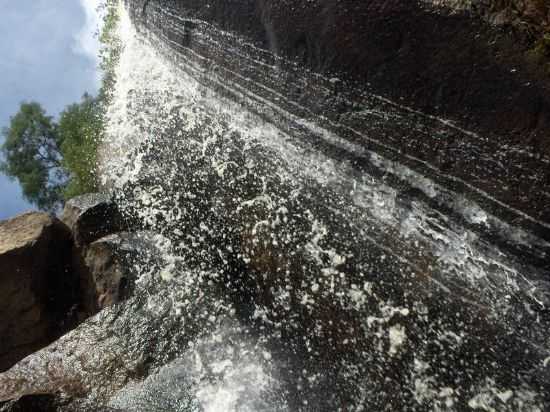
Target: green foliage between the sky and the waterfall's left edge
{"points": [[56, 160]]}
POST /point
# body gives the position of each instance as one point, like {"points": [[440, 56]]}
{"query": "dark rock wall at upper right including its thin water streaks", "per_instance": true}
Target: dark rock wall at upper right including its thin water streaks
{"points": [[443, 63]]}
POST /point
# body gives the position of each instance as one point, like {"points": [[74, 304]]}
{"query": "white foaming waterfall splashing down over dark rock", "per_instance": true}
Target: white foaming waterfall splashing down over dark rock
{"points": [[300, 263]]}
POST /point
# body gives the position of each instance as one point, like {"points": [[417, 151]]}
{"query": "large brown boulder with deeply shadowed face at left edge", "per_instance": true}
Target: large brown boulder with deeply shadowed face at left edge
{"points": [[37, 288]]}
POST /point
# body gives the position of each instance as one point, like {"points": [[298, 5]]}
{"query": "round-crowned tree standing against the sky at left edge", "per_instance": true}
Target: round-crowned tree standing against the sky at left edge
{"points": [[31, 152]]}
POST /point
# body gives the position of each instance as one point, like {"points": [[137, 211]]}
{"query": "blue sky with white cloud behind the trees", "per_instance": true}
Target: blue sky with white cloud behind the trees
{"points": [[49, 55]]}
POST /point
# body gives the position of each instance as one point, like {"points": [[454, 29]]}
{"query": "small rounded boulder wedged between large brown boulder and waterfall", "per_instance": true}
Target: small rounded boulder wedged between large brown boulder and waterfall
{"points": [[91, 216]]}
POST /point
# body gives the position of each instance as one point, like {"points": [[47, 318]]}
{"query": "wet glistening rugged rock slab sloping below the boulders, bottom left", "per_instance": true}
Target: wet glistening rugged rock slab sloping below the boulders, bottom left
{"points": [[124, 343]]}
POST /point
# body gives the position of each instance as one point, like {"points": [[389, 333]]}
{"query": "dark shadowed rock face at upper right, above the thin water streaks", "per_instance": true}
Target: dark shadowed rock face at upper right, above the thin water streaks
{"points": [[449, 64]]}
